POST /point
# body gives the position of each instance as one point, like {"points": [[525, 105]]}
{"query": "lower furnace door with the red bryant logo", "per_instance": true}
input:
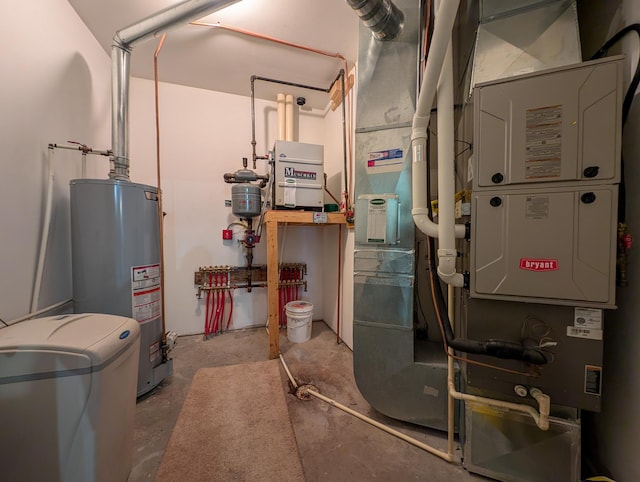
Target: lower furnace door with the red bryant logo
{"points": [[545, 245]]}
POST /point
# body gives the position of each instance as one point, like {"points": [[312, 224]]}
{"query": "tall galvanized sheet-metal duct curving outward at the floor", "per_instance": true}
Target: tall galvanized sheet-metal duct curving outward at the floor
{"points": [[397, 375]]}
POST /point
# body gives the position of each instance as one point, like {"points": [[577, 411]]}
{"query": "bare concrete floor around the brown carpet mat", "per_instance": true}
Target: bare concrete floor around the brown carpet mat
{"points": [[333, 445]]}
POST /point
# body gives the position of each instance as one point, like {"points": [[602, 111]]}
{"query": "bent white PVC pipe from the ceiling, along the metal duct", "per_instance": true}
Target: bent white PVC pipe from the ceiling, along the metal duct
{"points": [[445, 17]]}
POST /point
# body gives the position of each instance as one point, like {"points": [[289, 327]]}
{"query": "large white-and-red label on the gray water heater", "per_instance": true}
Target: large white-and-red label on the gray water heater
{"points": [[145, 292]]}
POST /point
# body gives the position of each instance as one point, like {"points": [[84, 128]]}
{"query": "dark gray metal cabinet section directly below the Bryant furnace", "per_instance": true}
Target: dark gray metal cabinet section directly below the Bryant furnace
{"points": [[564, 378]]}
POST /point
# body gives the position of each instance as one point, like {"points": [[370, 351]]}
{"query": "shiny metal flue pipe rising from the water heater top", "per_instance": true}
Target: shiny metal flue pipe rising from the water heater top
{"points": [[123, 43]]}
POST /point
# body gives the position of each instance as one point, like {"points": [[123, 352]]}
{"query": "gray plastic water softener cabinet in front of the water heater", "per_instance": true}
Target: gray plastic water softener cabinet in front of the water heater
{"points": [[67, 398]]}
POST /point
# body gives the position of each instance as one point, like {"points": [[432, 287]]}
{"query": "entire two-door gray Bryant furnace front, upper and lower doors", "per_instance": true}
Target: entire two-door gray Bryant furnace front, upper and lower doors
{"points": [[545, 185]]}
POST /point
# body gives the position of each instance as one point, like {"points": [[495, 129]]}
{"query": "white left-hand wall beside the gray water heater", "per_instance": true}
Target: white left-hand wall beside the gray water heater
{"points": [[55, 88]]}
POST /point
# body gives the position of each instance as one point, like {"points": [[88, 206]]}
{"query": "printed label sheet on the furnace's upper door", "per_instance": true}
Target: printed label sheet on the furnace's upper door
{"points": [[543, 142]]}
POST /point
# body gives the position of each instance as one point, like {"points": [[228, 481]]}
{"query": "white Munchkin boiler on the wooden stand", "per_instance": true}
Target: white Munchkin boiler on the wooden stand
{"points": [[299, 175]]}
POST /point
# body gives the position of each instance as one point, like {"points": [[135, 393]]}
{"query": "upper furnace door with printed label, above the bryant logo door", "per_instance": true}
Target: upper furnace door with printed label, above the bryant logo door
{"points": [[550, 126]]}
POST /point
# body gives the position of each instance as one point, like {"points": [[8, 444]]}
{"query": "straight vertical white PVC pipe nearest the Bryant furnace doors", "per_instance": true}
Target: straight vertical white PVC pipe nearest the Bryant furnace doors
{"points": [[447, 252]]}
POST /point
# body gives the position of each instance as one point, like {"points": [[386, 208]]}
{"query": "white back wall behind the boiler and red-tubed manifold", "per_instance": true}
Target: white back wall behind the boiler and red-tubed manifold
{"points": [[205, 134]]}
